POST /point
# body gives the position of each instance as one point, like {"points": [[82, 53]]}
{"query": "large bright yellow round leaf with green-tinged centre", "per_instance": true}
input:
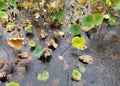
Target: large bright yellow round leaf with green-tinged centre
{"points": [[78, 42]]}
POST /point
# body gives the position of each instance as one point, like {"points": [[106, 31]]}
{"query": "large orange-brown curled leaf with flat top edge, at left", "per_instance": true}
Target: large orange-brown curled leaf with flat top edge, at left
{"points": [[16, 43]]}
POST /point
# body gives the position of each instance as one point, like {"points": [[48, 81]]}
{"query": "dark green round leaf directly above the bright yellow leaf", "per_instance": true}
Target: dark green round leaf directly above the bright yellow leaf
{"points": [[75, 29]]}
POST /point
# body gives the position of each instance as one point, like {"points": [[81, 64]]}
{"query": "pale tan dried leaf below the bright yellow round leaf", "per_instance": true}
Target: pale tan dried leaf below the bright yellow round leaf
{"points": [[86, 59]]}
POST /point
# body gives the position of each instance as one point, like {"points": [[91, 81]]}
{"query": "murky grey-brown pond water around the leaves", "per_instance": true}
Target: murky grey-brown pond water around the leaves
{"points": [[105, 70]]}
